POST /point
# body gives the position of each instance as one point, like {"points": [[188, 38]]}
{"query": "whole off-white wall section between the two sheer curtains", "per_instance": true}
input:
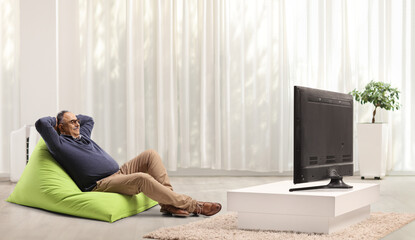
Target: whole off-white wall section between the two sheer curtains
{"points": [[49, 62]]}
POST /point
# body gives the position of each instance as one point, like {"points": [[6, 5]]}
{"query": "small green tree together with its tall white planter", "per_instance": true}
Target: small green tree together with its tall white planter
{"points": [[373, 137]]}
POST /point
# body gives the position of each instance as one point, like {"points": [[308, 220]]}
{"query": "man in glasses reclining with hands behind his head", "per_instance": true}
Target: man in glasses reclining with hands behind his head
{"points": [[92, 169]]}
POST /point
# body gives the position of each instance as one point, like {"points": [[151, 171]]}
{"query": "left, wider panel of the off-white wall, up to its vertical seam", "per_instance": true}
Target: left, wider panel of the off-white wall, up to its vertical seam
{"points": [[37, 60]]}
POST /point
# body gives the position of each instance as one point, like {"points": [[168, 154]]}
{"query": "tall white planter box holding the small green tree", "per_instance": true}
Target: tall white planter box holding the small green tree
{"points": [[372, 149]]}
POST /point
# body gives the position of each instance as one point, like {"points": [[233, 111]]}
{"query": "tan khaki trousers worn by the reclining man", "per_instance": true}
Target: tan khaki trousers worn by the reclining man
{"points": [[147, 174]]}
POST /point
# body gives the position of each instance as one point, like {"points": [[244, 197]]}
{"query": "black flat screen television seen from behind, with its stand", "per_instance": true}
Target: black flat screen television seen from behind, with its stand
{"points": [[323, 137]]}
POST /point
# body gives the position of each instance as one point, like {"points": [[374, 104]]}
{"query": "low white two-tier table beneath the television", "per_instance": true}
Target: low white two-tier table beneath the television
{"points": [[273, 207]]}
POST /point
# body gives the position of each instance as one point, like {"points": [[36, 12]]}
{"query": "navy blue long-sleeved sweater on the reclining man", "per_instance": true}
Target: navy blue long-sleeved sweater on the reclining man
{"points": [[81, 158]]}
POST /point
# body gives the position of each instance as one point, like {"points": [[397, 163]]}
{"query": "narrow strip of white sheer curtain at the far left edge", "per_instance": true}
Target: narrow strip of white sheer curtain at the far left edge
{"points": [[9, 85]]}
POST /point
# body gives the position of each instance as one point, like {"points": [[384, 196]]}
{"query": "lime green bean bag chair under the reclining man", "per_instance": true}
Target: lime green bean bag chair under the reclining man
{"points": [[44, 184]]}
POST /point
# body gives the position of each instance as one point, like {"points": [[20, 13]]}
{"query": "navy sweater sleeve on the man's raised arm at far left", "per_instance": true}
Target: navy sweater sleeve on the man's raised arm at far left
{"points": [[45, 127]]}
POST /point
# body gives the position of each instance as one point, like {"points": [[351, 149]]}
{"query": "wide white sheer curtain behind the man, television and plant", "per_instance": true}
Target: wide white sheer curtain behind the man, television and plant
{"points": [[209, 83]]}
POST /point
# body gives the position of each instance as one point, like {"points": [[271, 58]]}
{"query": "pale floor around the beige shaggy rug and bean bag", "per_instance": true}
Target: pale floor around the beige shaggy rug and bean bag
{"points": [[19, 222]]}
